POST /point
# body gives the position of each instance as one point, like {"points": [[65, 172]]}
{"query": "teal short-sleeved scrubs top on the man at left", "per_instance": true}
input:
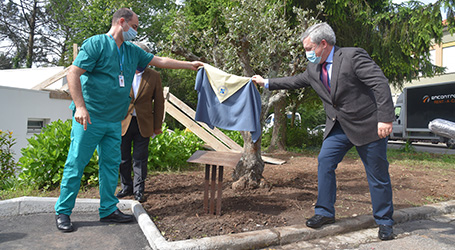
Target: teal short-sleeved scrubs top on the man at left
{"points": [[99, 55]]}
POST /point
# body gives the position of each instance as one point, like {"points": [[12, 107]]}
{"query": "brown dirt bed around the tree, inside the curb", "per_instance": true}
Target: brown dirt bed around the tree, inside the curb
{"points": [[175, 200]]}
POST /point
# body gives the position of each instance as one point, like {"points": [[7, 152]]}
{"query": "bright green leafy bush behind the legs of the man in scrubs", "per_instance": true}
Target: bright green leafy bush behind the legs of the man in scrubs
{"points": [[44, 158]]}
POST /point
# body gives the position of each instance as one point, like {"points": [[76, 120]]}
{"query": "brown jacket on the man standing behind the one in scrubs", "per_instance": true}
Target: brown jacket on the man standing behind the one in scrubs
{"points": [[149, 104]]}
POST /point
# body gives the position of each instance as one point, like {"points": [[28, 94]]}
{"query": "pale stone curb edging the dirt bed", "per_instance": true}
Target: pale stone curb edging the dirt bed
{"points": [[247, 240]]}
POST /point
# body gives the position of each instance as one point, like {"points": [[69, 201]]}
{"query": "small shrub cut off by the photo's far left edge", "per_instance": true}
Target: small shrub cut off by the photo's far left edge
{"points": [[7, 164]]}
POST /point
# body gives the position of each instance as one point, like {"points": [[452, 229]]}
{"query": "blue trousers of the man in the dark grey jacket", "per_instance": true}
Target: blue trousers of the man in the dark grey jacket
{"points": [[374, 158]]}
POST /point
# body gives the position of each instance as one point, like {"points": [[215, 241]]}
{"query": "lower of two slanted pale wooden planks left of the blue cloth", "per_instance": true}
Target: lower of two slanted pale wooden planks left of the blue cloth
{"points": [[195, 128]]}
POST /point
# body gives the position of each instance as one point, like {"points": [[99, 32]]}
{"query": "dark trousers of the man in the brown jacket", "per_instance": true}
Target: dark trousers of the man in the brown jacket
{"points": [[139, 159]]}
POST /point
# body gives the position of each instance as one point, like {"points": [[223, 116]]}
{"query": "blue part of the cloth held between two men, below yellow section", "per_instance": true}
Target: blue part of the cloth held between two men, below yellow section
{"points": [[240, 112]]}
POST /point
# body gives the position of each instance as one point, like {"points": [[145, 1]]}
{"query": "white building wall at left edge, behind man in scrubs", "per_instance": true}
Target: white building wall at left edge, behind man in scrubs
{"points": [[19, 105]]}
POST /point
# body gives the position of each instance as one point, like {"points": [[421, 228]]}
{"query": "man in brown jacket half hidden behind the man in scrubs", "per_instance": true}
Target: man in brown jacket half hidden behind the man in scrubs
{"points": [[144, 119]]}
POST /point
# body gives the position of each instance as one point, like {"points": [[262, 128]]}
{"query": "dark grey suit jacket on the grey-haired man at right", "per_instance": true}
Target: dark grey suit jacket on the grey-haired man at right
{"points": [[360, 94]]}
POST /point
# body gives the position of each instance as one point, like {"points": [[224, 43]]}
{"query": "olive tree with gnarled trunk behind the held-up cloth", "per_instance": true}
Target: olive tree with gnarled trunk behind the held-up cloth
{"points": [[245, 38]]}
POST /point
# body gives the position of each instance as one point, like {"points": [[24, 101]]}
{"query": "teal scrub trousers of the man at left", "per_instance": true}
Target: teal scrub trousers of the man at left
{"points": [[106, 138]]}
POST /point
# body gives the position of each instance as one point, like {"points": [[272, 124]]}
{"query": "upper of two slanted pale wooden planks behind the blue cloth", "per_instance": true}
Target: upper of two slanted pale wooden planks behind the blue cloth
{"points": [[215, 131]]}
